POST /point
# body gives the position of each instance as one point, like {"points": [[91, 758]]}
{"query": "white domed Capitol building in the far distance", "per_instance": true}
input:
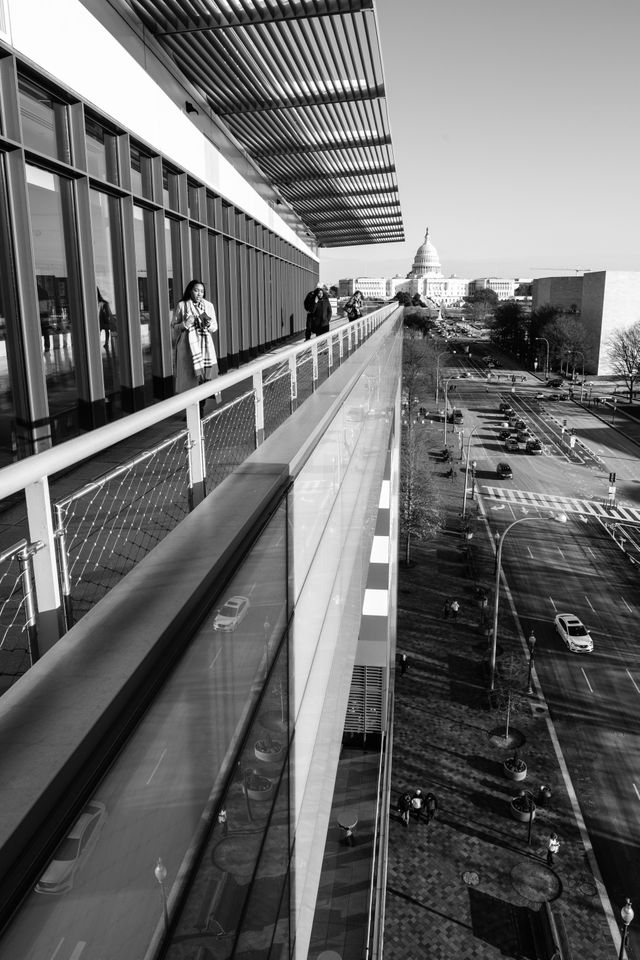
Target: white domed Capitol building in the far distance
{"points": [[427, 279]]}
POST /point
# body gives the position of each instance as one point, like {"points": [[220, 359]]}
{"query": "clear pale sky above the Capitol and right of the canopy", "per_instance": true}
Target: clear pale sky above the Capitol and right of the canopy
{"points": [[516, 135]]}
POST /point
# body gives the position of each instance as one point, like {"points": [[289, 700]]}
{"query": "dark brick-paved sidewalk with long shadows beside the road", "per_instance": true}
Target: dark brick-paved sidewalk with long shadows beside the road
{"points": [[468, 886]]}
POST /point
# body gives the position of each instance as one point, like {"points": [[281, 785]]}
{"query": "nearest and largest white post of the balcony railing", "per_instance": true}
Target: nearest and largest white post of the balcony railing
{"points": [[45, 568]]}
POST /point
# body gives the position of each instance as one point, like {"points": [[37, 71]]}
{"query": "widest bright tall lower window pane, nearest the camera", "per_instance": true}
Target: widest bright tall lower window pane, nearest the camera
{"points": [[47, 193]]}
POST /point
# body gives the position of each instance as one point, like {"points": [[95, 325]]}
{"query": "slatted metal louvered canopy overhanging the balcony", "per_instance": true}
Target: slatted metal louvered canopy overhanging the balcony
{"points": [[299, 84]]}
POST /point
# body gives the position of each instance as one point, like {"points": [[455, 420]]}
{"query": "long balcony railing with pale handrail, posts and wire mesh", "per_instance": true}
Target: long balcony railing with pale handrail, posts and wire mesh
{"points": [[102, 530]]}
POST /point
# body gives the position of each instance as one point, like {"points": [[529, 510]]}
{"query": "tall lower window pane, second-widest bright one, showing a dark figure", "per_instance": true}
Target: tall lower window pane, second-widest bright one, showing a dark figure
{"points": [[101, 235]]}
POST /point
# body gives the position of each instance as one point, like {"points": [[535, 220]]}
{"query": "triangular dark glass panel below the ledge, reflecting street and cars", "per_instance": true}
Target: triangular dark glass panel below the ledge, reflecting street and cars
{"points": [[157, 796]]}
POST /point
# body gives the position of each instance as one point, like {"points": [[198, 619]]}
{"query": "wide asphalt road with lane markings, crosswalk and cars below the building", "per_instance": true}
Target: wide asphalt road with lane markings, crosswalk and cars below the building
{"points": [[594, 699]]}
